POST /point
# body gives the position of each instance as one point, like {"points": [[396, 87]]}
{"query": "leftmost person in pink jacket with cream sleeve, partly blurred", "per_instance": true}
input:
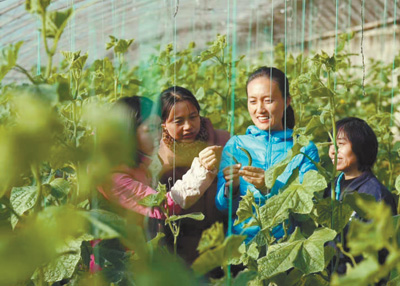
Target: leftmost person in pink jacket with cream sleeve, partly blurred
{"points": [[130, 184]]}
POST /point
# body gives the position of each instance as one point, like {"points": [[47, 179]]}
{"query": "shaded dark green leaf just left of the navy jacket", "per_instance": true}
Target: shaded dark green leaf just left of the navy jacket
{"points": [[327, 212]]}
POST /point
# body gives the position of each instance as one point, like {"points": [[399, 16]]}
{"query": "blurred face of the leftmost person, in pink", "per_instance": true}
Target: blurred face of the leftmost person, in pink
{"points": [[148, 134]]}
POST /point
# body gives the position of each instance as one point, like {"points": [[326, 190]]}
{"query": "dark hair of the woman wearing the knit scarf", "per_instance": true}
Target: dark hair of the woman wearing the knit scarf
{"points": [[171, 96]]}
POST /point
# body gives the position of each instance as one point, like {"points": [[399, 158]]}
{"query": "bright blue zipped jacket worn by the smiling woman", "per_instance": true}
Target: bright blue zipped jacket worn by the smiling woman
{"points": [[266, 148]]}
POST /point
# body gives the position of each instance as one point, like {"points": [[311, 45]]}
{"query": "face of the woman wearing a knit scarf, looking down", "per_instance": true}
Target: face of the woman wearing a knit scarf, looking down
{"points": [[183, 122]]}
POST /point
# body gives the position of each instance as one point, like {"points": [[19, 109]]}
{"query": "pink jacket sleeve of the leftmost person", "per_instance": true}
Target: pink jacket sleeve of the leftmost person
{"points": [[127, 192]]}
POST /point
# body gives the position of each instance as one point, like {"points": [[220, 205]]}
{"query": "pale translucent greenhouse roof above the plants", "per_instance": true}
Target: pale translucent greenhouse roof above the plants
{"points": [[155, 23]]}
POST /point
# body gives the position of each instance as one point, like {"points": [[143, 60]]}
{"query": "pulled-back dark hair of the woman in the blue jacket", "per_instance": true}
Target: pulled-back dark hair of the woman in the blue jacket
{"points": [[280, 78]]}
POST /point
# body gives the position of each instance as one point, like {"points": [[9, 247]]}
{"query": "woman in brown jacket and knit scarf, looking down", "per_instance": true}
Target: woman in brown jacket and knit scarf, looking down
{"points": [[185, 135]]}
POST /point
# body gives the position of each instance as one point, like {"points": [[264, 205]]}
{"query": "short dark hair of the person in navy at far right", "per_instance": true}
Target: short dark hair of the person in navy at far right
{"points": [[363, 140]]}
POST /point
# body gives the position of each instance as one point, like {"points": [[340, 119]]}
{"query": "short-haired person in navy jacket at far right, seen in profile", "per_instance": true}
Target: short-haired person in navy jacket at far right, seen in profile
{"points": [[357, 149]]}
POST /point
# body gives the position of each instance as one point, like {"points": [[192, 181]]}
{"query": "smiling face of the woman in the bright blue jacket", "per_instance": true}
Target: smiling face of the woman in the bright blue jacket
{"points": [[266, 104]]}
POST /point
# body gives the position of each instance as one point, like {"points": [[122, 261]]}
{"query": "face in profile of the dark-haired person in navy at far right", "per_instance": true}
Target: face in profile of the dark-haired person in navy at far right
{"points": [[346, 159]]}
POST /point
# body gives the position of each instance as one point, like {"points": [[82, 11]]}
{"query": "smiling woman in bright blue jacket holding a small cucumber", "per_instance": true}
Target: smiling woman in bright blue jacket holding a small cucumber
{"points": [[268, 142]]}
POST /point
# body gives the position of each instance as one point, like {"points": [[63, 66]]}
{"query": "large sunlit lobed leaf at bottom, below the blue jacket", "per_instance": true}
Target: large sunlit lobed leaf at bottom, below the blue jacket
{"points": [[307, 255]]}
